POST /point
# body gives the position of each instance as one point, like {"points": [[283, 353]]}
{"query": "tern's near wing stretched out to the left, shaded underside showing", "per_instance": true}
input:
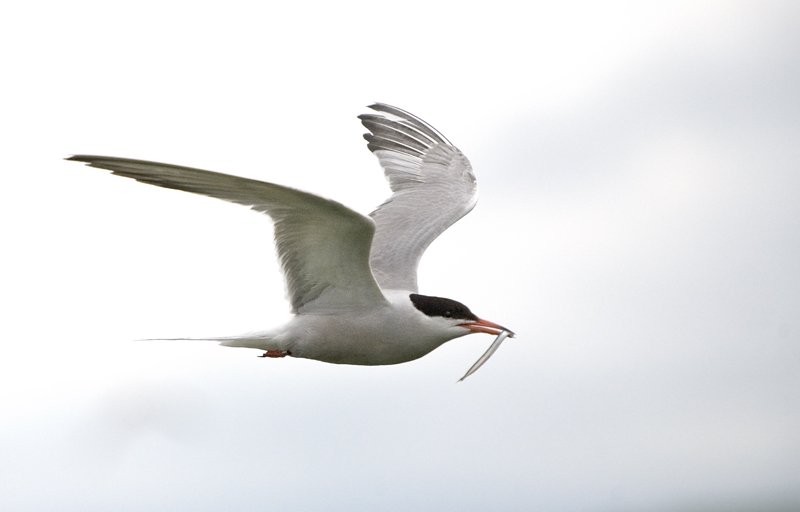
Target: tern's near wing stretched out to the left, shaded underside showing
{"points": [[322, 245]]}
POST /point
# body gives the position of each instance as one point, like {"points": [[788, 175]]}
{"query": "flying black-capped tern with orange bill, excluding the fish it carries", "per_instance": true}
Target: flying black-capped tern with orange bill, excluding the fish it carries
{"points": [[352, 279]]}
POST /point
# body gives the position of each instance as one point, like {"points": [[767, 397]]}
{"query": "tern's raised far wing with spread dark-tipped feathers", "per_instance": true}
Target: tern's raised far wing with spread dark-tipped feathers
{"points": [[433, 187]]}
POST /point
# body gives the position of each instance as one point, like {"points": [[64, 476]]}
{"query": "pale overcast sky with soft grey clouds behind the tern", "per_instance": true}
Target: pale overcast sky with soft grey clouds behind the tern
{"points": [[638, 227]]}
